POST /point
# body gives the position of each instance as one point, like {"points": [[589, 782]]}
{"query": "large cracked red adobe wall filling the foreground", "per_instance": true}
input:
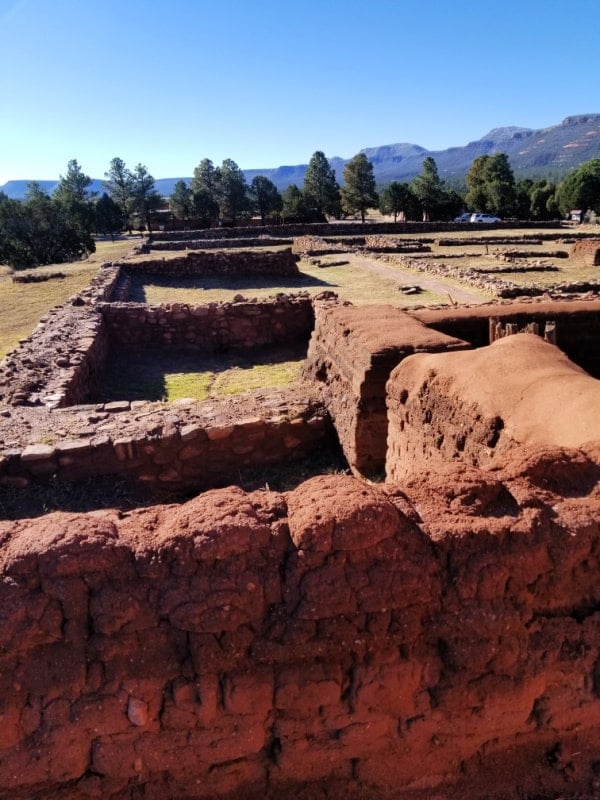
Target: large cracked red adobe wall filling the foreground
{"points": [[437, 639]]}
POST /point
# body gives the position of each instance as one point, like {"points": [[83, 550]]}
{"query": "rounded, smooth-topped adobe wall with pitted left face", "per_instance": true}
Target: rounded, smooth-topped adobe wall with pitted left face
{"points": [[484, 407]]}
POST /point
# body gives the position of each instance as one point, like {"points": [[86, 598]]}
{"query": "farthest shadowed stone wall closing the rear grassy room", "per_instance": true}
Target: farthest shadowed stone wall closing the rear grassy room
{"points": [[247, 263]]}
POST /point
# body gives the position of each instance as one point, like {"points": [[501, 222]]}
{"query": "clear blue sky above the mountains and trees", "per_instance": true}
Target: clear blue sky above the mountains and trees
{"points": [[268, 82]]}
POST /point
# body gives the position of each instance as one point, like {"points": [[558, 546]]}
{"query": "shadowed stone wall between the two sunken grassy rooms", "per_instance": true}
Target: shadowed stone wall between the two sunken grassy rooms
{"points": [[215, 327]]}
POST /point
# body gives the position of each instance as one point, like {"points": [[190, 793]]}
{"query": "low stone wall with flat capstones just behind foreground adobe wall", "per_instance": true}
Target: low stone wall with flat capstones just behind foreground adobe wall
{"points": [[180, 446]]}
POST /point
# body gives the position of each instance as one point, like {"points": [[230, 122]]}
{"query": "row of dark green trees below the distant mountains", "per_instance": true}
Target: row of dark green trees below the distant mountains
{"points": [[44, 229]]}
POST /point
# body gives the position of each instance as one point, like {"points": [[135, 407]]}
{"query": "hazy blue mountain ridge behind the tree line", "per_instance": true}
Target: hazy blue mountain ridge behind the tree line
{"points": [[548, 152]]}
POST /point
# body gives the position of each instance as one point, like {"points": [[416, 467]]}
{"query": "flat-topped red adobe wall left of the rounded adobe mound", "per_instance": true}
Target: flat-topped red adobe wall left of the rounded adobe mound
{"points": [[352, 352]]}
